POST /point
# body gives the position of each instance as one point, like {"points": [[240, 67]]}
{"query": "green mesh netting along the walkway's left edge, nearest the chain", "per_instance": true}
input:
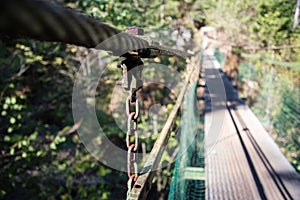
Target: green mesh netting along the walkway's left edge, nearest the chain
{"points": [[190, 154]]}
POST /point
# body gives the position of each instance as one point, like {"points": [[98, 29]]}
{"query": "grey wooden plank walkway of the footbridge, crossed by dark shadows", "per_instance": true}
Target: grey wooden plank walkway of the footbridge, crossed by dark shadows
{"points": [[242, 160]]}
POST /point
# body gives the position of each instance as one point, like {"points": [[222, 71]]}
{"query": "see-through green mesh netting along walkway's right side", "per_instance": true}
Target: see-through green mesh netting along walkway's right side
{"points": [[273, 94]]}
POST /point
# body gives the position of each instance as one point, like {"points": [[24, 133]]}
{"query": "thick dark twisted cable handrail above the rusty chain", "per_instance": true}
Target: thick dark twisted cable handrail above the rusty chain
{"points": [[49, 21]]}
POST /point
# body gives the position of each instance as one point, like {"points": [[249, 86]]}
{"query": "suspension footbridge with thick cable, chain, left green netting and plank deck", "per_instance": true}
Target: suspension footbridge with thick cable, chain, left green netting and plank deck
{"points": [[231, 157]]}
